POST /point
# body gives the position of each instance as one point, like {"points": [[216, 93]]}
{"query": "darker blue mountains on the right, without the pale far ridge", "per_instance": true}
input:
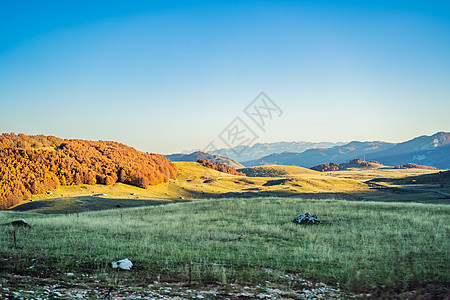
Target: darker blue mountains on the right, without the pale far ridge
{"points": [[424, 150]]}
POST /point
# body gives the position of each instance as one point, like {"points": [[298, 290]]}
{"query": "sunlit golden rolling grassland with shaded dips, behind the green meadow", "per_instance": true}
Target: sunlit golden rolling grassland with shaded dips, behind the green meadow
{"points": [[197, 182]]}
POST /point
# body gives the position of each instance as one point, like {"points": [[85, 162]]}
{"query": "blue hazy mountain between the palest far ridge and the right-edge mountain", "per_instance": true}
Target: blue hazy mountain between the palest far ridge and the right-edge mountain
{"points": [[313, 157]]}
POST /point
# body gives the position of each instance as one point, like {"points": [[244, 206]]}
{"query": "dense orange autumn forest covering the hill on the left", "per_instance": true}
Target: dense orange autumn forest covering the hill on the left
{"points": [[32, 165]]}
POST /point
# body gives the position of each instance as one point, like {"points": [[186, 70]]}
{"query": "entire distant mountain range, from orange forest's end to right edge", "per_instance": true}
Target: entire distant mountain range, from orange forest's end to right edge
{"points": [[431, 151]]}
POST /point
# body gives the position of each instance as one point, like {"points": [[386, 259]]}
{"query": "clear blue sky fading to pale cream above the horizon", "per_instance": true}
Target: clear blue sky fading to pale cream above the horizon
{"points": [[167, 76]]}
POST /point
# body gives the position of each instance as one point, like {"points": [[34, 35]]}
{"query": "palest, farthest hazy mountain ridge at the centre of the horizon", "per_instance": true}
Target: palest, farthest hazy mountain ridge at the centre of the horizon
{"points": [[259, 150]]}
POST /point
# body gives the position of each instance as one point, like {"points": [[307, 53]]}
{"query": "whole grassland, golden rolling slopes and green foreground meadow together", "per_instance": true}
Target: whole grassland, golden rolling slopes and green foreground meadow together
{"points": [[386, 244]]}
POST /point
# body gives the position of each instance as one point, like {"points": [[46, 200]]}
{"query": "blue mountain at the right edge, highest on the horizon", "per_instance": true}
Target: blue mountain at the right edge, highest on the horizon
{"points": [[424, 150]]}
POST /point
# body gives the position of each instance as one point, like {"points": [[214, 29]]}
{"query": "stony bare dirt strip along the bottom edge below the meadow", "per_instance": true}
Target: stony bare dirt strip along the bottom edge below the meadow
{"points": [[73, 286]]}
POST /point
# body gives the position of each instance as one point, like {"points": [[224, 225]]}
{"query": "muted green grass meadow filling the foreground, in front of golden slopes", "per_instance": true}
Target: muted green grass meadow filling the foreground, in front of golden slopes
{"points": [[378, 247]]}
